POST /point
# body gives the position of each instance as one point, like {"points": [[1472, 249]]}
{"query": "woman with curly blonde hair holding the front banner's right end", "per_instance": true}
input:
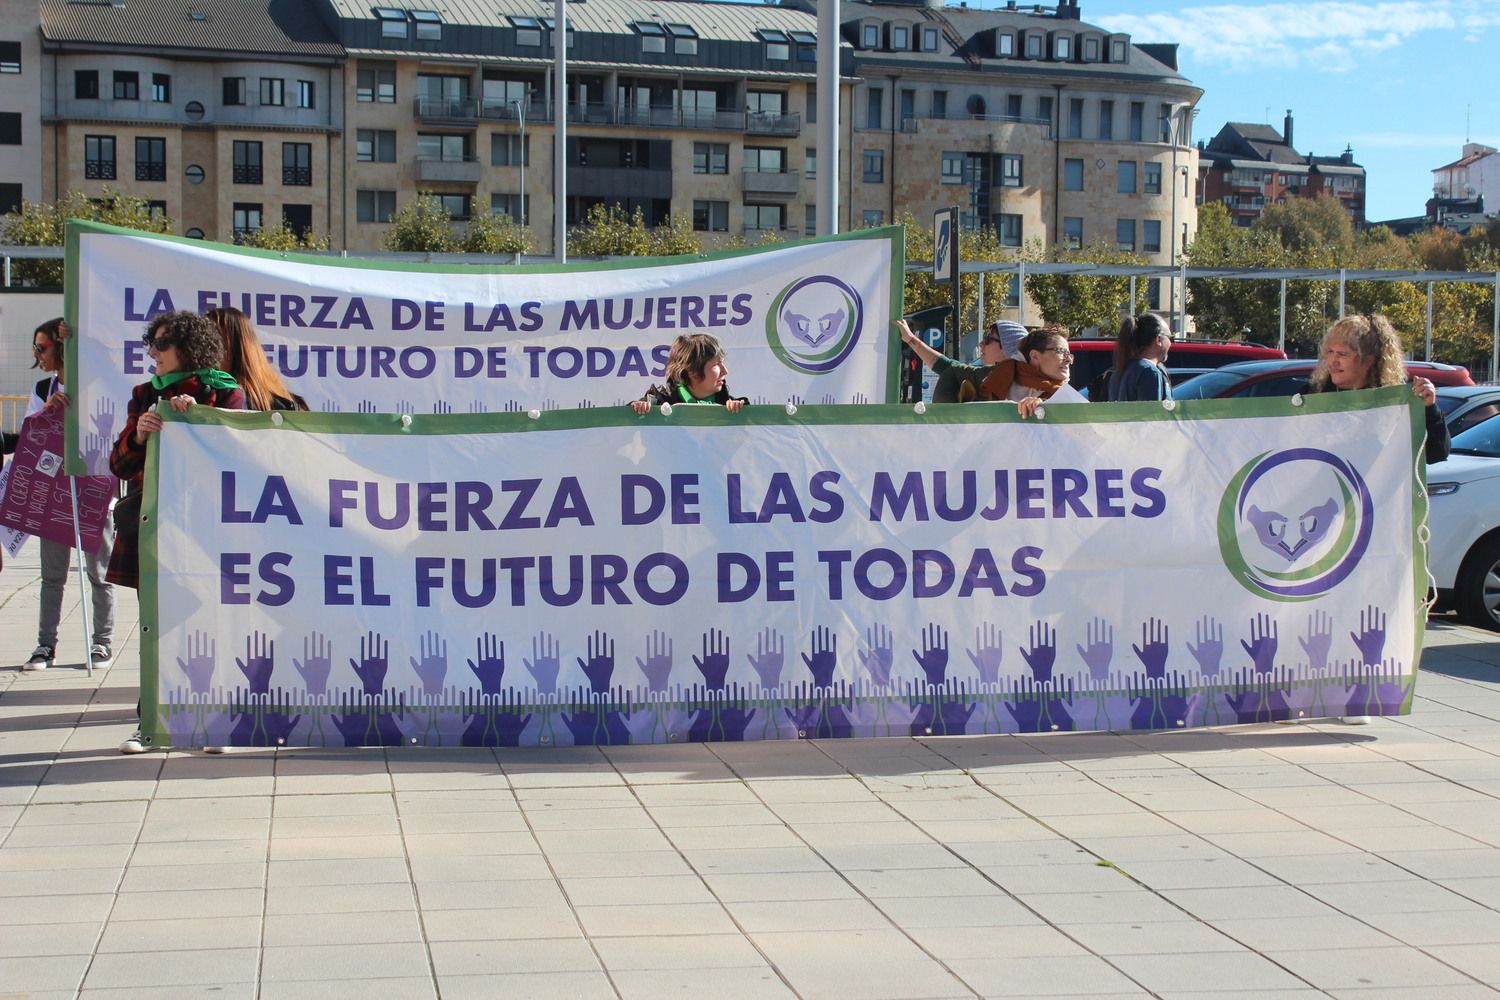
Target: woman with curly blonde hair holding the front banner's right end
{"points": [[1364, 352]]}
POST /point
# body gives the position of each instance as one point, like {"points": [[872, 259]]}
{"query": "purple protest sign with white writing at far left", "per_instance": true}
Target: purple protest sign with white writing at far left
{"points": [[38, 500]]}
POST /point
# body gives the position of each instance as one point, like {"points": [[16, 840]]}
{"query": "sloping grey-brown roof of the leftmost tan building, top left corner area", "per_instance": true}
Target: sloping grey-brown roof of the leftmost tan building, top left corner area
{"points": [[286, 28]]}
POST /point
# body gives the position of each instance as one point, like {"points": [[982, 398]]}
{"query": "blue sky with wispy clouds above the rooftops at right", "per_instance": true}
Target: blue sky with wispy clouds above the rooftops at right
{"points": [[1402, 82]]}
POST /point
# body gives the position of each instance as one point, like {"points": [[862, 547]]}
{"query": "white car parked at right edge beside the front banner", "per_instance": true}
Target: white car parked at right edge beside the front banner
{"points": [[1465, 554]]}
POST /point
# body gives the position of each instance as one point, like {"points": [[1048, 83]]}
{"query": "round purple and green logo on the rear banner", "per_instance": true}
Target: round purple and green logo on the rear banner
{"points": [[815, 323]]}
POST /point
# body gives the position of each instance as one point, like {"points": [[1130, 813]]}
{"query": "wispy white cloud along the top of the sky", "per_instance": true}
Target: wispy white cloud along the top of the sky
{"points": [[1333, 35]]}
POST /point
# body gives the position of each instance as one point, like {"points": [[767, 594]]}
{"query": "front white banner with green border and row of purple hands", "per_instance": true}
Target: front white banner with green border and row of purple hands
{"points": [[590, 576]]}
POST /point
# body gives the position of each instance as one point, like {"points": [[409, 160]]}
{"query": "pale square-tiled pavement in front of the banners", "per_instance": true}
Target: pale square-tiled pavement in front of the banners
{"points": [[1280, 861]]}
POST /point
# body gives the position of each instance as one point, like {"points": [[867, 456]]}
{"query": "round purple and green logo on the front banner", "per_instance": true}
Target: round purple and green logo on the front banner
{"points": [[1294, 524]]}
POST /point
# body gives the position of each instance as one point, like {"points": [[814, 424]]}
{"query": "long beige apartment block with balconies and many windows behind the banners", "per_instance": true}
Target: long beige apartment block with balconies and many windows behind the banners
{"points": [[1028, 119]]}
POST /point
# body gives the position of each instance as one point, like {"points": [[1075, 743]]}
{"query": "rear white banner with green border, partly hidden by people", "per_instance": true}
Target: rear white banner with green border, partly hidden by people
{"points": [[808, 322]]}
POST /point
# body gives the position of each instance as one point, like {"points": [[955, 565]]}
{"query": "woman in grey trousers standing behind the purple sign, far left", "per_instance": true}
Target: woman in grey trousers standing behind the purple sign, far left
{"points": [[47, 350]]}
